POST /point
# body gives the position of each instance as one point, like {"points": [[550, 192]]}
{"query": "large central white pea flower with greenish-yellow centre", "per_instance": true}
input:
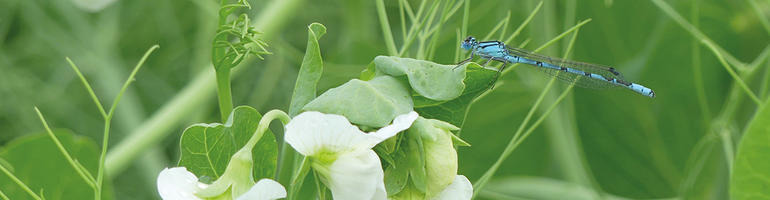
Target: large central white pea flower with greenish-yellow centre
{"points": [[342, 154]]}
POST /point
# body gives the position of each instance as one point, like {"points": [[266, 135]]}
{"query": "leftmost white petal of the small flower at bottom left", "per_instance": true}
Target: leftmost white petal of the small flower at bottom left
{"points": [[177, 184]]}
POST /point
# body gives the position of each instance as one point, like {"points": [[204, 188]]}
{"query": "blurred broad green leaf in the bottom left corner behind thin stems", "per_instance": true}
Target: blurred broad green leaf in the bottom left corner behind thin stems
{"points": [[37, 162]]}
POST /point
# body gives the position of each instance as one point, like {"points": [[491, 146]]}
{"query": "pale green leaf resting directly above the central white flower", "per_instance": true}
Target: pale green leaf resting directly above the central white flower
{"points": [[372, 103]]}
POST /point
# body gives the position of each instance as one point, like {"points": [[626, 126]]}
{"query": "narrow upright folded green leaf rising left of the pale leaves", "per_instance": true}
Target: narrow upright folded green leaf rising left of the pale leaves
{"points": [[309, 72]]}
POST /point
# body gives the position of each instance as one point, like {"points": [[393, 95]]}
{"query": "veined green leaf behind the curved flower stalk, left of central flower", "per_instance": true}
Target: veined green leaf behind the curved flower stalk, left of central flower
{"points": [[206, 148]]}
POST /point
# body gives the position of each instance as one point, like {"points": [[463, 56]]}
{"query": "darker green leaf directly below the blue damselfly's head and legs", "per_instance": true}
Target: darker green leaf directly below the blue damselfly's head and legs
{"points": [[477, 80]]}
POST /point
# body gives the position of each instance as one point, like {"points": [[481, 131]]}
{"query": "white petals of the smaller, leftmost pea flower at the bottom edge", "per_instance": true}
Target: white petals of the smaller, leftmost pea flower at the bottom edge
{"points": [[179, 184]]}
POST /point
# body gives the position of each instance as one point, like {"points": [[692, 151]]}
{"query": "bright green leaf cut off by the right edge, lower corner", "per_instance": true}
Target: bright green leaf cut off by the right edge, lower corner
{"points": [[750, 177]]}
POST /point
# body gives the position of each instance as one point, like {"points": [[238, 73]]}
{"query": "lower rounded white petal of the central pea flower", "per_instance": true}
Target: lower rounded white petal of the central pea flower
{"points": [[357, 175]]}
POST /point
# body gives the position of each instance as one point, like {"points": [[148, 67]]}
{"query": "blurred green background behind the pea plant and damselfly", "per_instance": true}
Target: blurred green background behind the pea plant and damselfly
{"points": [[610, 143]]}
